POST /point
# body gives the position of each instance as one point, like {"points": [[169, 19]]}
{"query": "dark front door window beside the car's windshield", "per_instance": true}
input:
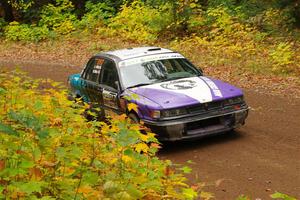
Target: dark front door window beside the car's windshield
{"points": [[109, 74]]}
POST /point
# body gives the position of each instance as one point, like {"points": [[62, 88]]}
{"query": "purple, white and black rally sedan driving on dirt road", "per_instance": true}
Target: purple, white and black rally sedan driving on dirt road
{"points": [[174, 98]]}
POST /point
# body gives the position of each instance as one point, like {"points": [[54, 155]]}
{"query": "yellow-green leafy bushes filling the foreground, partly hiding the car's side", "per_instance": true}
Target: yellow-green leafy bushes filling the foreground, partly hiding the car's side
{"points": [[48, 150]]}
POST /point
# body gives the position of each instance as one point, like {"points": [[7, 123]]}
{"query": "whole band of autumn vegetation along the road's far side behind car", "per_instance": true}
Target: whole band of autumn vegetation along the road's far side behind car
{"points": [[256, 36]]}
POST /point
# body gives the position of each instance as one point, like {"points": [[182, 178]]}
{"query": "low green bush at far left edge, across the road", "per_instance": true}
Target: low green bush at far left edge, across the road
{"points": [[24, 32]]}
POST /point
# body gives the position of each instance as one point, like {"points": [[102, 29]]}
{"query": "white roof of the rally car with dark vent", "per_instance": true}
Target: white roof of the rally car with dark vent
{"points": [[124, 54]]}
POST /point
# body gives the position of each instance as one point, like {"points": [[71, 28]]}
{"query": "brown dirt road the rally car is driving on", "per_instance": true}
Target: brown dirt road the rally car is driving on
{"points": [[258, 159]]}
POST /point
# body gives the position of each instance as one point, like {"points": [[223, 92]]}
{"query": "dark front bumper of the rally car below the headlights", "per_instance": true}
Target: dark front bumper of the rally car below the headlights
{"points": [[198, 126]]}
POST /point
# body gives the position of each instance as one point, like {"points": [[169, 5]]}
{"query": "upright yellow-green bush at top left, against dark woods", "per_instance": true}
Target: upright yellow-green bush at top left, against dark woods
{"points": [[59, 17]]}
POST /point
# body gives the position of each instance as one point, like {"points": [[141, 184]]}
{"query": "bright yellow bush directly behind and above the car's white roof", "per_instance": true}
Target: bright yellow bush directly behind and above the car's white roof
{"points": [[141, 22]]}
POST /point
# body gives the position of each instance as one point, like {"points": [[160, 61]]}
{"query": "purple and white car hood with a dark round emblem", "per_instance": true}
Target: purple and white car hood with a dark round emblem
{"points": [[187, 91]]}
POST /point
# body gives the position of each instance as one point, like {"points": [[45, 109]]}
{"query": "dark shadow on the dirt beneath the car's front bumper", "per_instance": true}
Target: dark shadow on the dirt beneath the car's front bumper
{"points": [[204, 142]]}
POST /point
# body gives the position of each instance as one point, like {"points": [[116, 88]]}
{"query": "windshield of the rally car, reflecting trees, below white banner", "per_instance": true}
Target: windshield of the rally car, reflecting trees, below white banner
{"points": [[157, 71]]}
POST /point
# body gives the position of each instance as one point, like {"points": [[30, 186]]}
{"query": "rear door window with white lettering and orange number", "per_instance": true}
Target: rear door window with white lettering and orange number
{"points": [[92, 71]]}
